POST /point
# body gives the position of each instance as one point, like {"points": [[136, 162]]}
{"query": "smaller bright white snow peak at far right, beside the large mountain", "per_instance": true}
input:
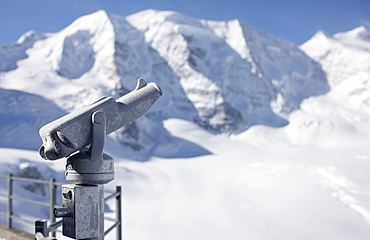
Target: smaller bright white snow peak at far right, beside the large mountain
{"points": [[346, 59]]}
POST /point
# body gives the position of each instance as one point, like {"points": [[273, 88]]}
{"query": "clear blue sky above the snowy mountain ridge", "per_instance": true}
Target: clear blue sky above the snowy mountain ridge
{"points": [[292, 20]]}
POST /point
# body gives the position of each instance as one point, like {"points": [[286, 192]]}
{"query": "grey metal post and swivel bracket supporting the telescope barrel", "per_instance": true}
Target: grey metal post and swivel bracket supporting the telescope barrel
{"points": [[83, 202]]}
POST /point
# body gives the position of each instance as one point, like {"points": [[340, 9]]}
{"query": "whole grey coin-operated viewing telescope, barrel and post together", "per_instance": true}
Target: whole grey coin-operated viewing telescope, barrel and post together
{"points": [[80, 137]]}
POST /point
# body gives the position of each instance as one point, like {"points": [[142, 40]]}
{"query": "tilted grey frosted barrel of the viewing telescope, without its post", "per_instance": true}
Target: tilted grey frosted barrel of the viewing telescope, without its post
{"points": [[73, 131]]}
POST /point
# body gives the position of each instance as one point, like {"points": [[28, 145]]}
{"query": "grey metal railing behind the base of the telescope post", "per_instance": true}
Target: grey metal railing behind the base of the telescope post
{"points": [[41, 225]]}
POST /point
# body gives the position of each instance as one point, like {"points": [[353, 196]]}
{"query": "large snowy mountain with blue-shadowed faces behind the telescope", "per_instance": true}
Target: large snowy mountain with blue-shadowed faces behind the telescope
{"points": [[225, 76]]}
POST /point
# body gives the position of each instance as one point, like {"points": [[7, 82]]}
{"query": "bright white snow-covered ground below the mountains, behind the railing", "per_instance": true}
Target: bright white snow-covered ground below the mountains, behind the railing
{"points": [[260, 184]]}
